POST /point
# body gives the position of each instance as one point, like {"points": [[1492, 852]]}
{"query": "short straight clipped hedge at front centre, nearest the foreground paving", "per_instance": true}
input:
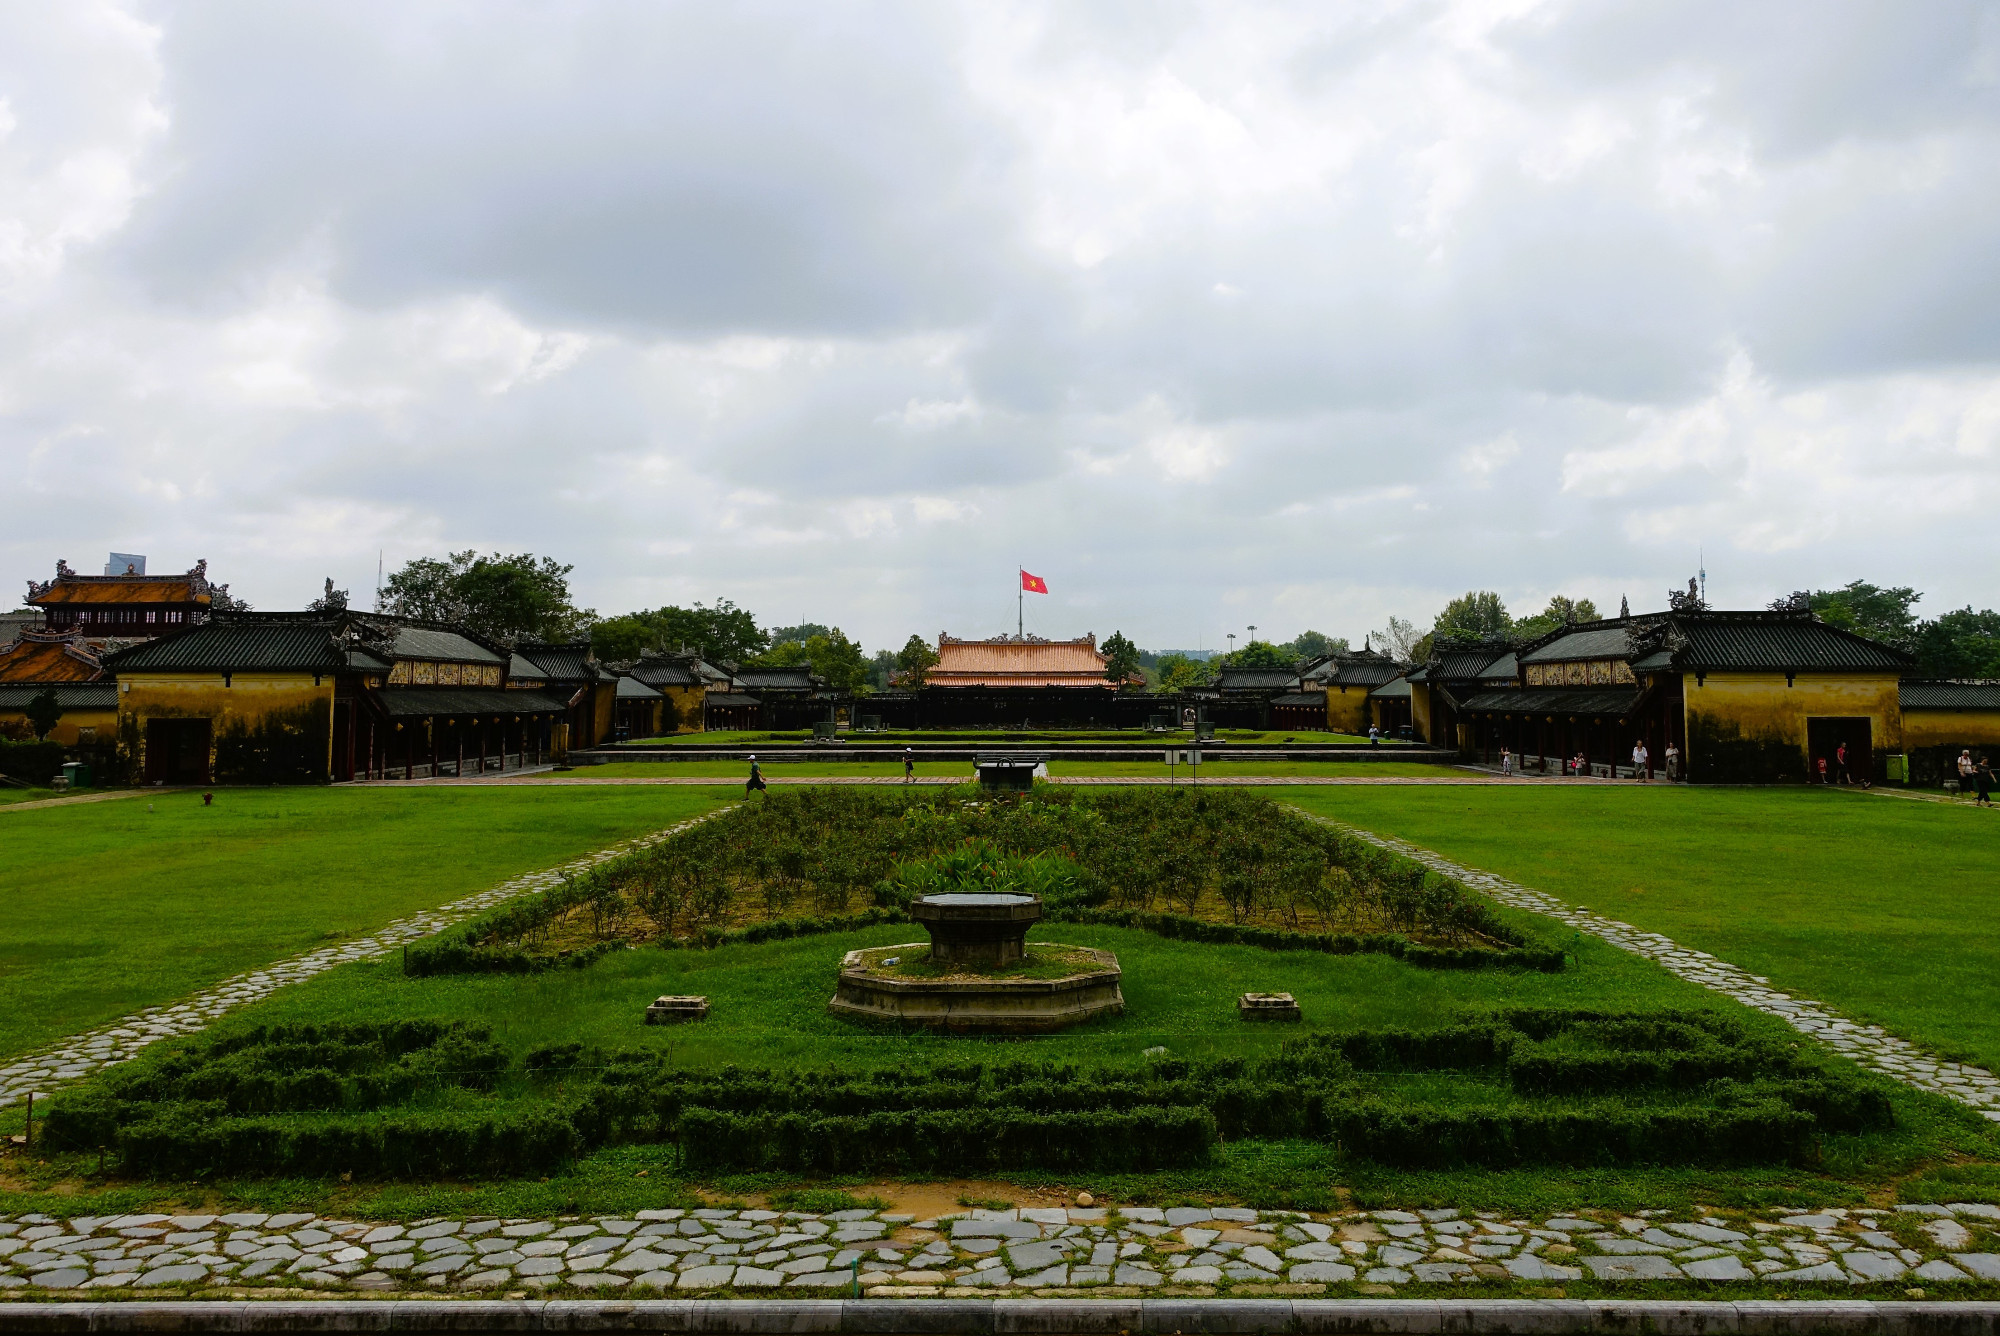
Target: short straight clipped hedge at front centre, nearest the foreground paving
{"points": [[959, 1141]]}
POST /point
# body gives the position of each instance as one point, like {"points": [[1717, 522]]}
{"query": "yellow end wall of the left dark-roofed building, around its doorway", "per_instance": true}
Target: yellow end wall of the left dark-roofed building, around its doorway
{"points": [[265, 727]]}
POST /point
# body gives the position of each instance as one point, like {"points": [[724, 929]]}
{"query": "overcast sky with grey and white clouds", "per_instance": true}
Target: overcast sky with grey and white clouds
{"points": [[1211, 315]]}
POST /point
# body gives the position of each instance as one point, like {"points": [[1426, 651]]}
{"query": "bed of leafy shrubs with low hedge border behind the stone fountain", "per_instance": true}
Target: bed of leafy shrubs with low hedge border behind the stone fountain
{"points": [[1225, 867]]}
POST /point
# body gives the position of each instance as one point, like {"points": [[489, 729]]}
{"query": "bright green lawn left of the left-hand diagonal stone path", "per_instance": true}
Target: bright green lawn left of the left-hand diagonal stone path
{"points": [[113, 907]]}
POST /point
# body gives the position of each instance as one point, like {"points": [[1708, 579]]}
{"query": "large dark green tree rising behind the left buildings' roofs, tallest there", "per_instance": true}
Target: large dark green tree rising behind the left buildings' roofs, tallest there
{"points": [[503, 597]]}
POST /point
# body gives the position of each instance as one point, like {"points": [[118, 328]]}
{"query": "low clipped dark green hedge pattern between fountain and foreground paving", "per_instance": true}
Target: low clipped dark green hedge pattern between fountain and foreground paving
{"points": [[1509, 1089]]}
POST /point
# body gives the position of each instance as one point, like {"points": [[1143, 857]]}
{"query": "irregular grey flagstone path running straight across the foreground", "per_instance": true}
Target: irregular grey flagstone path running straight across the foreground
{"points": [[1121, 1253]]}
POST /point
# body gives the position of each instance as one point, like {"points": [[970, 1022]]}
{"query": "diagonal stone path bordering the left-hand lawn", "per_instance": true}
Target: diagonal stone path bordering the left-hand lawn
{"points": [[125, 1039]]}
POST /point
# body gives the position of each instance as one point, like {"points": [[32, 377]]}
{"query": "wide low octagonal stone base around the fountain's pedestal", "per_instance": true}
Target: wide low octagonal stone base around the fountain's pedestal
{"points": [[971, 1005]]}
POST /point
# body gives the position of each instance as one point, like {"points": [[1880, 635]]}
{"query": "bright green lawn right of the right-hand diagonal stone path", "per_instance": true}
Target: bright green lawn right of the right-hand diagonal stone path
{"points": [[1885, 909]]}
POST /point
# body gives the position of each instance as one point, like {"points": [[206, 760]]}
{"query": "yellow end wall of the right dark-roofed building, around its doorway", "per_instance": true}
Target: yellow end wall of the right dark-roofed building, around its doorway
{"points": [[1753, 727]]}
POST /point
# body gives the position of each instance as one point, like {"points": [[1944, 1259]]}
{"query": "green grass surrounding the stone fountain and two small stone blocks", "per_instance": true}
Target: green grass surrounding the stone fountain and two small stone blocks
{"points": [[769, 1001]]}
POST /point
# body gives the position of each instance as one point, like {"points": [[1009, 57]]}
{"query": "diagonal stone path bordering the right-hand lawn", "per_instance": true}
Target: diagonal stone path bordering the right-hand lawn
{"points": [[1871, 1047]]}
